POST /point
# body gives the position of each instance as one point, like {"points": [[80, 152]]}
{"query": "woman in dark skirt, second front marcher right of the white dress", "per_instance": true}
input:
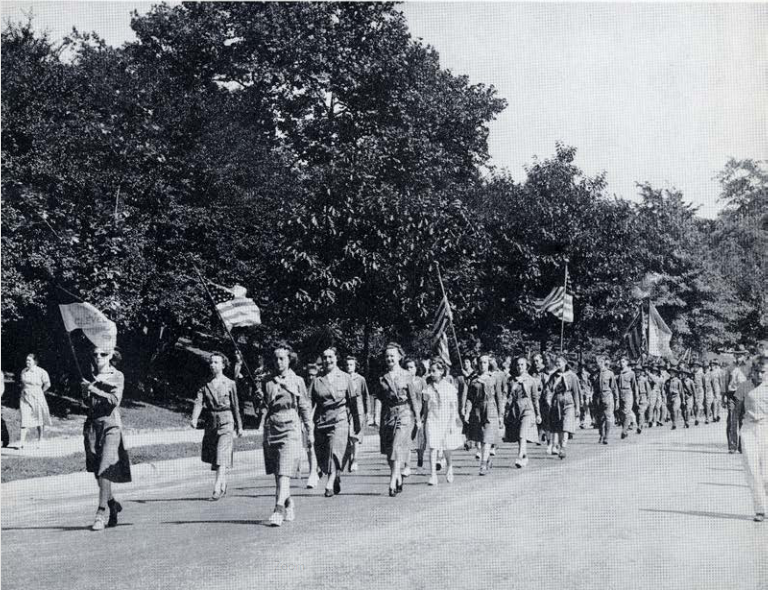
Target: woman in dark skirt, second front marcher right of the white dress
{"points": [[522, 411]]}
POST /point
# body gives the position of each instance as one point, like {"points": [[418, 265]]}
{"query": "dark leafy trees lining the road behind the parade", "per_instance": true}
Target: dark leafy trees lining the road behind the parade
{"points": [[320, 156]]}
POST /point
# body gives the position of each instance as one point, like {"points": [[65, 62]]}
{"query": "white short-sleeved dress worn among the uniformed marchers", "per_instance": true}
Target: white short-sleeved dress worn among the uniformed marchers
{"points": [[443, 426]]}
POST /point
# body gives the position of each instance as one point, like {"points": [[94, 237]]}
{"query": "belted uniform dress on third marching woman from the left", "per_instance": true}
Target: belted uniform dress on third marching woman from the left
{"points": [[287, 407]]}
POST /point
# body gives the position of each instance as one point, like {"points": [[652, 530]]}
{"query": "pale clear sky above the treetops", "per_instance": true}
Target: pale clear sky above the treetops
{"points": [[664, 93]]}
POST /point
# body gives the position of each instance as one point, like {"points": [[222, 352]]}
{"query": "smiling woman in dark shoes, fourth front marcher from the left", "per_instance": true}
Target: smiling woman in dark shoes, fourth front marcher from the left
{"points": [[333, 397]]}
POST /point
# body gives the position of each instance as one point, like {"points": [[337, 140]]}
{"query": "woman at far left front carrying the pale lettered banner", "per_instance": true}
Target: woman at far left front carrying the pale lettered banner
{"points": [[105, 454]]}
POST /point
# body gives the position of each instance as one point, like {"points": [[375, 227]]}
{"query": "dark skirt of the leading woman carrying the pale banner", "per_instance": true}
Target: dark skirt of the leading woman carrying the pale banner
{"points": [[105, 454]]}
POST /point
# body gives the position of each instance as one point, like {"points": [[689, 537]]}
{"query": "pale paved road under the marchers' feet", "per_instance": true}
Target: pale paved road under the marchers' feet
{"points": [[661, 510]]}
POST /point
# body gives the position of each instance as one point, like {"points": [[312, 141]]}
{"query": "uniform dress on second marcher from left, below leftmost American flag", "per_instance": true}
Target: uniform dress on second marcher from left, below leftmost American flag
{"points": [[219, 398]]}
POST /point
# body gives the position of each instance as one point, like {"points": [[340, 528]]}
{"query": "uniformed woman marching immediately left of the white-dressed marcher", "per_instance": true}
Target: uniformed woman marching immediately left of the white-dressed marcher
{"points": [[400, 412]]}
